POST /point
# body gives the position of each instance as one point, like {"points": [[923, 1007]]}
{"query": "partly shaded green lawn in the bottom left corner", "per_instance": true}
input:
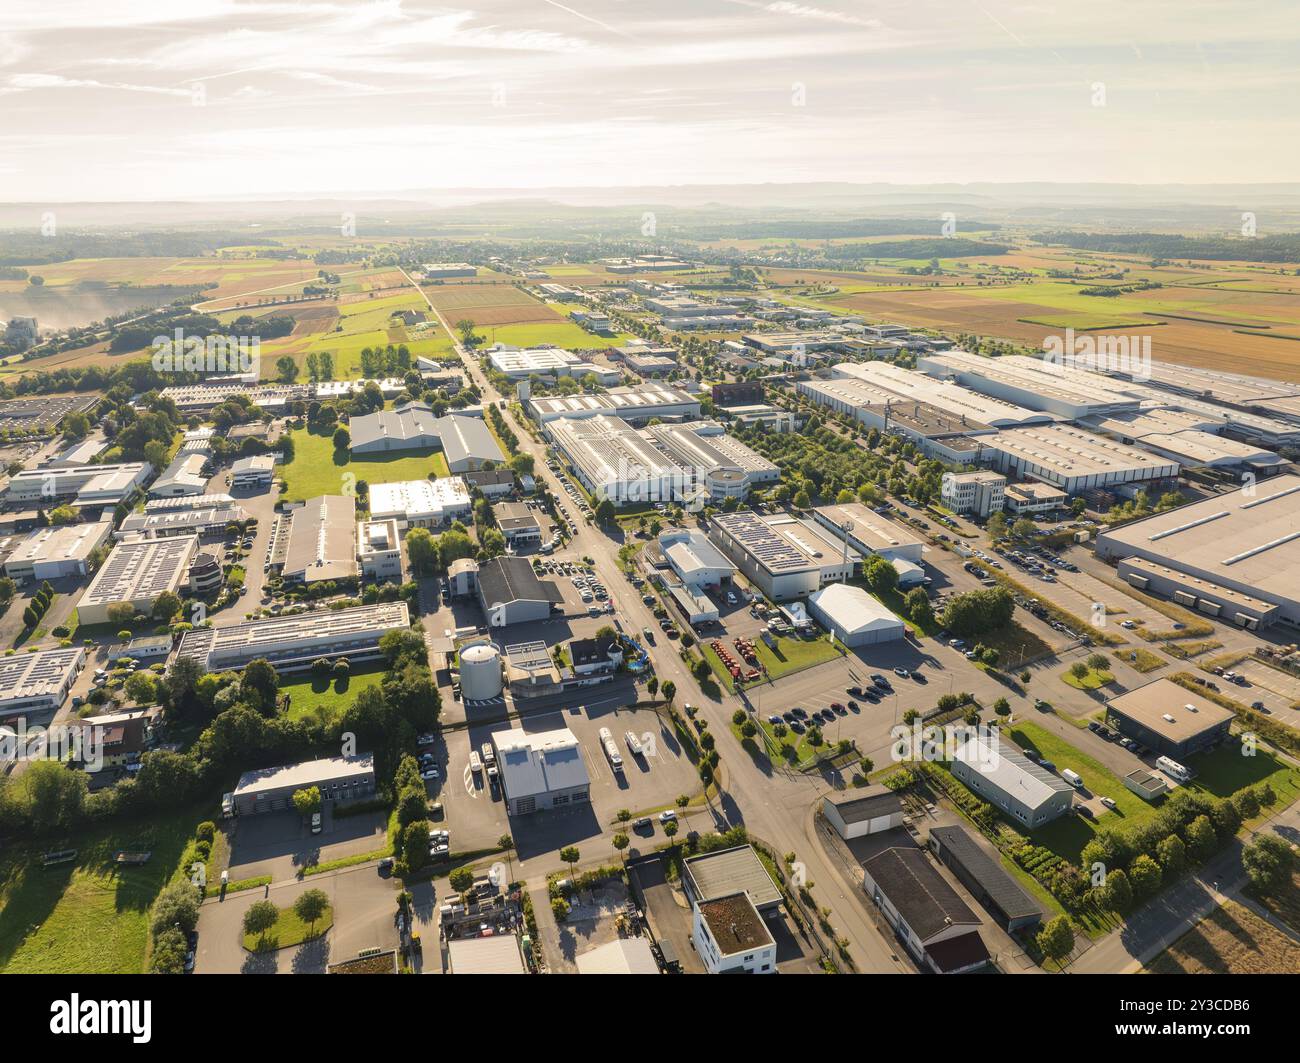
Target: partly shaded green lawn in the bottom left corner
{"points": [[90, 917]]}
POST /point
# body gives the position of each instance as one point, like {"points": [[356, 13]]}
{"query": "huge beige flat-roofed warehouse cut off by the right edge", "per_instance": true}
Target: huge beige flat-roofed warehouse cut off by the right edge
{"points": [[1236, 556]]}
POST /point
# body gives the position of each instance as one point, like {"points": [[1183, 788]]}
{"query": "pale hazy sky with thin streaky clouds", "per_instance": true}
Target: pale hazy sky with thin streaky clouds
{"points": [[175, 99]]}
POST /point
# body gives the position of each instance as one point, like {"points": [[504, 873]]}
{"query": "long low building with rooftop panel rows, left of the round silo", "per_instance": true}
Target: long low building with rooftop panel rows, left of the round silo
{"points": [[293, 643]]}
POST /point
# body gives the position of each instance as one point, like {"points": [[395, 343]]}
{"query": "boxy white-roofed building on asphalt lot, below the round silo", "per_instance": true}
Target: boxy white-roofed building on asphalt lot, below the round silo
{"points": [[541, 770]]}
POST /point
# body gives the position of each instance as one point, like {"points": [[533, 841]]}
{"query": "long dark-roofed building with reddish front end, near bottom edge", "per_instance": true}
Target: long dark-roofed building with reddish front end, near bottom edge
{"points": [[926, 914]]}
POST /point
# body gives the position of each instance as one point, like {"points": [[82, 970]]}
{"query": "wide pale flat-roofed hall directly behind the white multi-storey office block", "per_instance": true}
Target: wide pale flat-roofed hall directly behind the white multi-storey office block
{"points": [[1073, 459]]}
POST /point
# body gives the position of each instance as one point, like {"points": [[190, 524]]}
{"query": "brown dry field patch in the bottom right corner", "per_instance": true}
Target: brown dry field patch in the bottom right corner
{"points": [[1232, 940]]}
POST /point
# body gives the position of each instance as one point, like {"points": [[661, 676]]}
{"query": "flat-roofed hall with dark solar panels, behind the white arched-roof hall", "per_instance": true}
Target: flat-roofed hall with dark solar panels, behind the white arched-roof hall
{"points": [[783, 557]]}
